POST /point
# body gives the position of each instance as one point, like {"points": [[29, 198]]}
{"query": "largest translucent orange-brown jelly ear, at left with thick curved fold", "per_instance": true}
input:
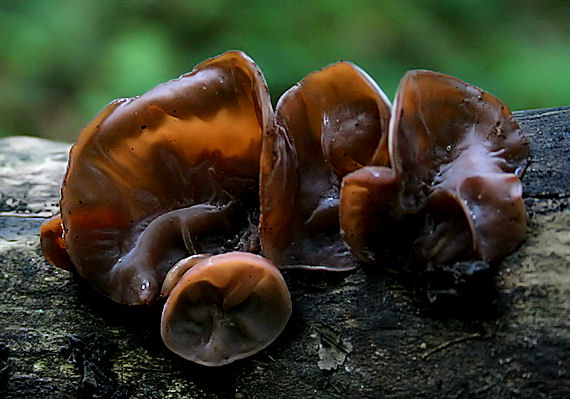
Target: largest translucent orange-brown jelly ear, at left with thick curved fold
{"points": [[150, 173]]}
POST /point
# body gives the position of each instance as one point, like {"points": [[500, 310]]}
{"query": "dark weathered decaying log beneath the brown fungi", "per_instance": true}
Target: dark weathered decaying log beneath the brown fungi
{"points": [[358, 334]]}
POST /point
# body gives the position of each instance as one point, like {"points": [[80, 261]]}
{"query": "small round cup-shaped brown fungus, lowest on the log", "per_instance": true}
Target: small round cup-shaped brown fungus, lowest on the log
{"points": [[225, 308]]}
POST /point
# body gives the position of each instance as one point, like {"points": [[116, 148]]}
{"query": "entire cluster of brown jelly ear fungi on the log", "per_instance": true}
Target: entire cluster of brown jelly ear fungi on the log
{"points": [[174, 196]]}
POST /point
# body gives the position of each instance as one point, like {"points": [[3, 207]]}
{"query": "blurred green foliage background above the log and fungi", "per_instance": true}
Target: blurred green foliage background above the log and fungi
{"points": [[62, 61]]}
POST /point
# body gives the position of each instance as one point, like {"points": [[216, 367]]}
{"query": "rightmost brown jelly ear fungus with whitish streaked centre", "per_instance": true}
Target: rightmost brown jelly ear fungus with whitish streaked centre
{"points": [[457, 156]]}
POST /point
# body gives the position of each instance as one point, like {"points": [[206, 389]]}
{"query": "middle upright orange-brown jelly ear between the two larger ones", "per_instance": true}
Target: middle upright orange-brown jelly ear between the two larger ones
{"points": [[331, 123]]}
